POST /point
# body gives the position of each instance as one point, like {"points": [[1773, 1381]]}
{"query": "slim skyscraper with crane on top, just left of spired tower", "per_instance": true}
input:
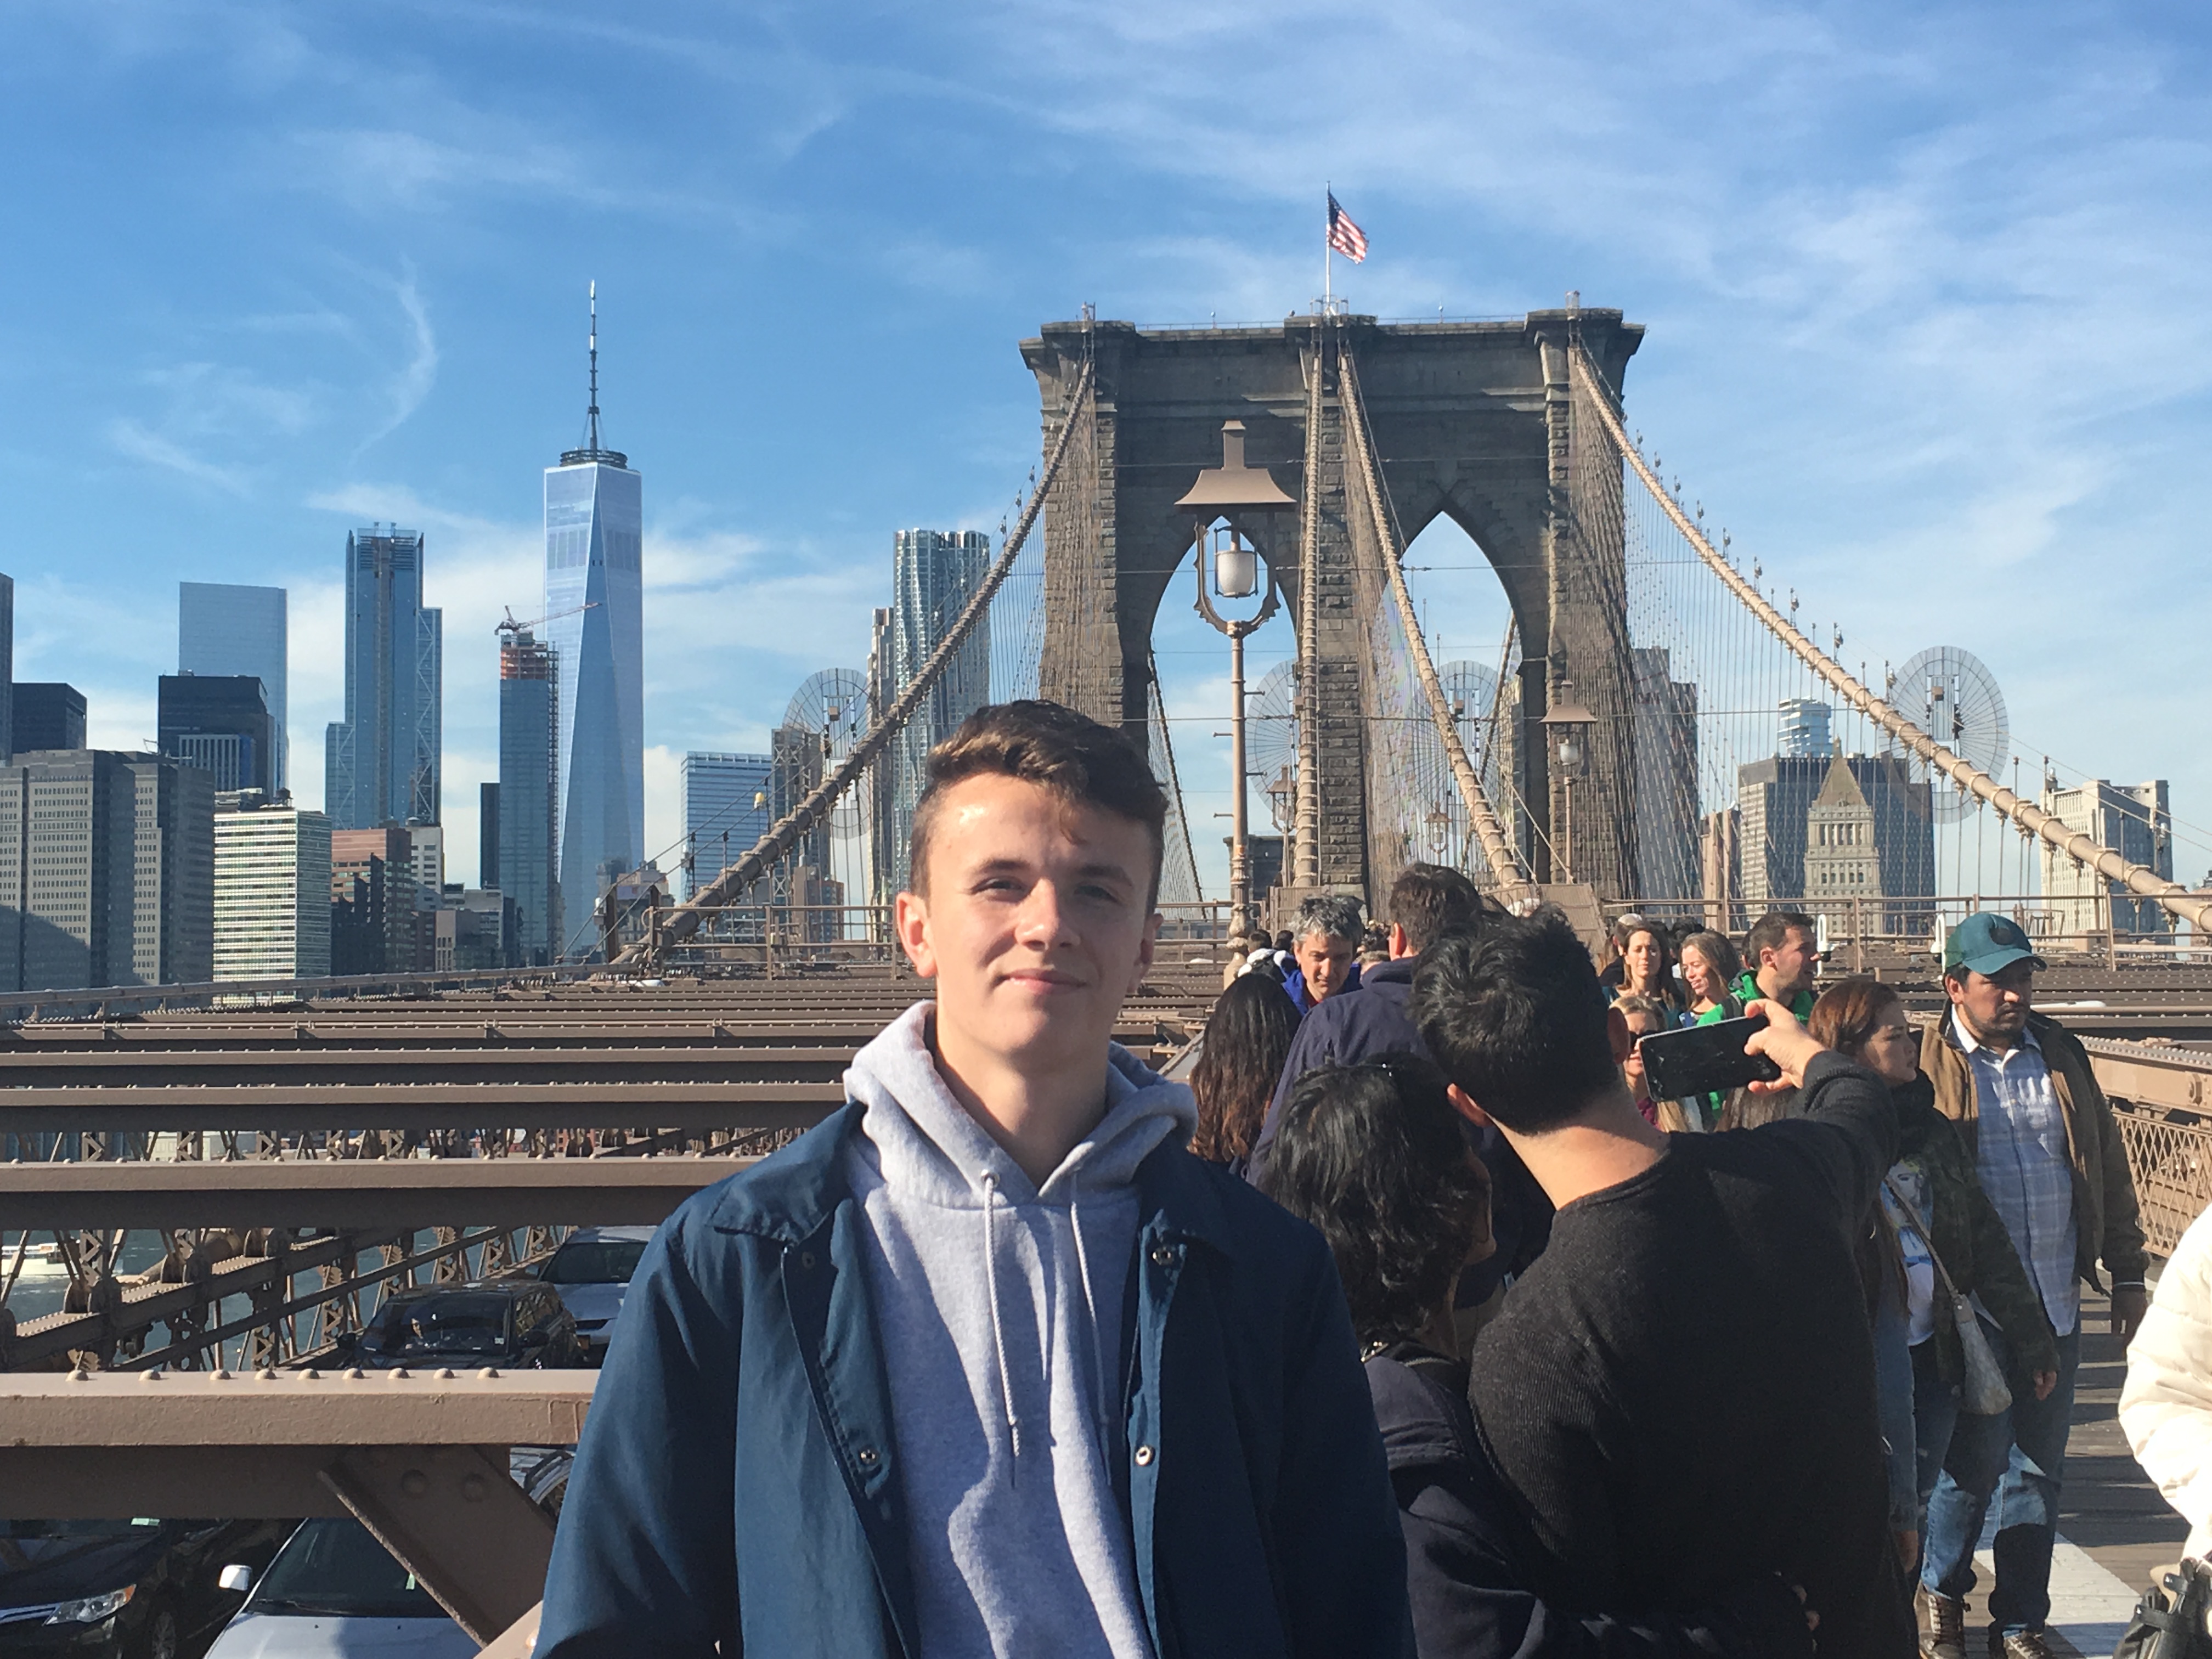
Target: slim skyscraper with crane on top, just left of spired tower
{"points": [[530, 795]]}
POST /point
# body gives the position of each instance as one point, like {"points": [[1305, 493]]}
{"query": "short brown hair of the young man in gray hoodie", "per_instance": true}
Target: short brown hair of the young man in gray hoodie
{"points": [[1056, 749]]}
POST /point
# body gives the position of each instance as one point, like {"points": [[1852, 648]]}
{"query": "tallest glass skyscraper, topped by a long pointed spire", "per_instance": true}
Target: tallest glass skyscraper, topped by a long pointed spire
{"points": [[596, 627]]}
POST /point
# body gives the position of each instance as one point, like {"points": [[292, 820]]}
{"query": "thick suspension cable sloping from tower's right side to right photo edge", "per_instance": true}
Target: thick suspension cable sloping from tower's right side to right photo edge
{"points": [[2085, 851]]}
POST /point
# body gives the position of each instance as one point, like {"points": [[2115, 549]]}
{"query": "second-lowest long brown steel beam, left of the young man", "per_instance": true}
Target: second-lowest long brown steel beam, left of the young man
{"points": [[399, 1196]]}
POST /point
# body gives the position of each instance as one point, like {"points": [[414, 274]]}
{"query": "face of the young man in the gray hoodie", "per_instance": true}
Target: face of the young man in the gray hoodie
{"points": [[1036, 924]]}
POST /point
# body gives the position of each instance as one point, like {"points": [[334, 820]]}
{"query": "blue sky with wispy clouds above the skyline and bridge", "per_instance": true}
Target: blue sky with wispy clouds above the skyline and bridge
{"points": [[1928, 304]]}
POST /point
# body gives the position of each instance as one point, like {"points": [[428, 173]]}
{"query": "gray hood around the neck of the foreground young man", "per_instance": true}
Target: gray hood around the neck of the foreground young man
{"points": [[928, 1147]]}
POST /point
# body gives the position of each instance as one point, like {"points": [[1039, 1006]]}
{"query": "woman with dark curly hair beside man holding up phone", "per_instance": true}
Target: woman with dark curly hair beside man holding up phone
{"points": [[1375, 1158]]}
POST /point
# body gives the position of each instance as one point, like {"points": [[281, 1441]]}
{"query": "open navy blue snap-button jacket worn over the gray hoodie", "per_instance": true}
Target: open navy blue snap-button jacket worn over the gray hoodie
{"points": [[738, 1479]]}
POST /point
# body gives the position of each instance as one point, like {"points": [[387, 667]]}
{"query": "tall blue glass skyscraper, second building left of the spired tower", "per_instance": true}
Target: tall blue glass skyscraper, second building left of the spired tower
{"points": [[382, 762]]}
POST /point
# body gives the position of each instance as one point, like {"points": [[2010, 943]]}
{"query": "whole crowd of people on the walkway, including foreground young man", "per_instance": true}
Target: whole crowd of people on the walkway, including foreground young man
{"points": [[1412, 1326]]}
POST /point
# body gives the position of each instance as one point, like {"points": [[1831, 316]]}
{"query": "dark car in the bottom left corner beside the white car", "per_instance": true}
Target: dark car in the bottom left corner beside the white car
{"points": [[138, 1589]]}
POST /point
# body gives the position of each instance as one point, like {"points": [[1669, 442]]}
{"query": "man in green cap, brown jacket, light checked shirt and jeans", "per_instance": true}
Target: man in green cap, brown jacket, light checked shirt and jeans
{"points": [[2049, 1158]]}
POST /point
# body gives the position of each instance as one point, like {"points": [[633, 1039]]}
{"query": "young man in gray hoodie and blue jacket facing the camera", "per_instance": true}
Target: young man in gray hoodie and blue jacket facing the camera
{"points": [[988, 1364]]}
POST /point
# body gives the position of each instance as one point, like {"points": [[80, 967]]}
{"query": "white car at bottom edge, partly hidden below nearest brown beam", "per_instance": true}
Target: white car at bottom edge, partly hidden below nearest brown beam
{"points": [[337, 1594]]}
